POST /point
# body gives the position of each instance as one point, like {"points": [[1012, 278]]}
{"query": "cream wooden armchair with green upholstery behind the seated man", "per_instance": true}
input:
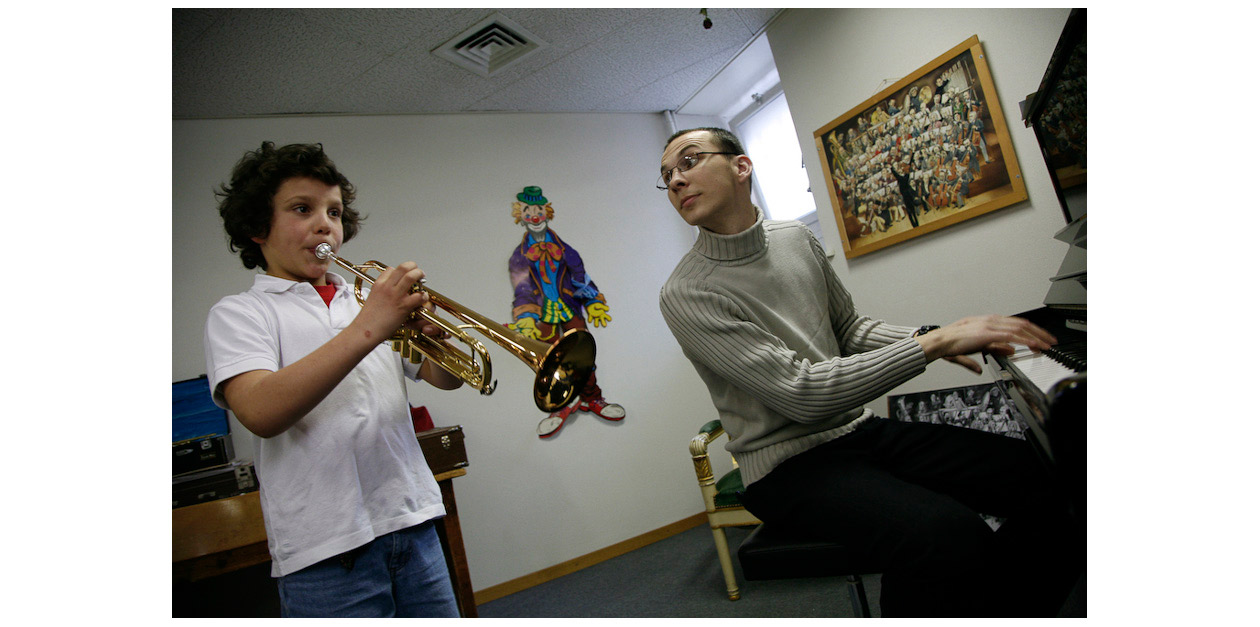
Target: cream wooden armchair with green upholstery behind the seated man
{"points": [[721, 500]]}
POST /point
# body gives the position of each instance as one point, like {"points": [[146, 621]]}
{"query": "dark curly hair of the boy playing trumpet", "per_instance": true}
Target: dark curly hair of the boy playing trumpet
{"points": [[245, 203]]}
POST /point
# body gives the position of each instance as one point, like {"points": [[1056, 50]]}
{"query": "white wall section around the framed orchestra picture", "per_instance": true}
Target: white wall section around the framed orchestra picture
{"points": [[832, 61]]}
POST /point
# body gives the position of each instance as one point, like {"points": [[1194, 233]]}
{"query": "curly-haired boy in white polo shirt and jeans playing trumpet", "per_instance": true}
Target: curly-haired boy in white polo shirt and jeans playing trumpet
{"points": [[346, 493]]}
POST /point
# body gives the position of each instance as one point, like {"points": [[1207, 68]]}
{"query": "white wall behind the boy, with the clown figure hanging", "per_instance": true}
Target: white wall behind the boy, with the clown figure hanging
{"points": [[439, 191]]}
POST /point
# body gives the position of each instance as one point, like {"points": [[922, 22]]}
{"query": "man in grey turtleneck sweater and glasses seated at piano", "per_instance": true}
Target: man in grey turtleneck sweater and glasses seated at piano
{"points": [[763, 317]]}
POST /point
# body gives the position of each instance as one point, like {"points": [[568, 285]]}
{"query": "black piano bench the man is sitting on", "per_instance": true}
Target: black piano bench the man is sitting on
{"points": [[769, 555]]}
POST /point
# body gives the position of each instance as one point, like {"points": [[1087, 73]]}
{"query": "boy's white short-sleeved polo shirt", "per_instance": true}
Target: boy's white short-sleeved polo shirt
{"points": [[351, 470]]}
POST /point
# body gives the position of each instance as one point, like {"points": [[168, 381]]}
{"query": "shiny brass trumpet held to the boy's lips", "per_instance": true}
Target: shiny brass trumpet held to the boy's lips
{"points": [[563, 370]]}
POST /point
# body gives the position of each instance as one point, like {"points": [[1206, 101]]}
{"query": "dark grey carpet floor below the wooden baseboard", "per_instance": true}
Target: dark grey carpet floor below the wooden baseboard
{"points": [[679, 577]]}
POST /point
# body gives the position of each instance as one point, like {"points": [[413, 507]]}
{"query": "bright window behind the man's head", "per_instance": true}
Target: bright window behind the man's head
{"points": [[779, 167]]}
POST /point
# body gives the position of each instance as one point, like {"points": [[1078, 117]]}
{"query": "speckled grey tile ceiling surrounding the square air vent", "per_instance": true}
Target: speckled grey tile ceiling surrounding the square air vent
{"points": [[259, 62]]}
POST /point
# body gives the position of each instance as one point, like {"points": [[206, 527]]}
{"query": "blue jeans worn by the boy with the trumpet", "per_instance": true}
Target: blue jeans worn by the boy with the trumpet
{"points": [[399, 575]]}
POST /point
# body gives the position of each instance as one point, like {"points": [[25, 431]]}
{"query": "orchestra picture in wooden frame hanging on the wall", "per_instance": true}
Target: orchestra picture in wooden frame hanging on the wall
{"points": [[927, 153]]}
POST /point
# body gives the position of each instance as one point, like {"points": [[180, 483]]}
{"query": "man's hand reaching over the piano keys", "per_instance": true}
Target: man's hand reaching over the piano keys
{"points": [[990, 334]]}
